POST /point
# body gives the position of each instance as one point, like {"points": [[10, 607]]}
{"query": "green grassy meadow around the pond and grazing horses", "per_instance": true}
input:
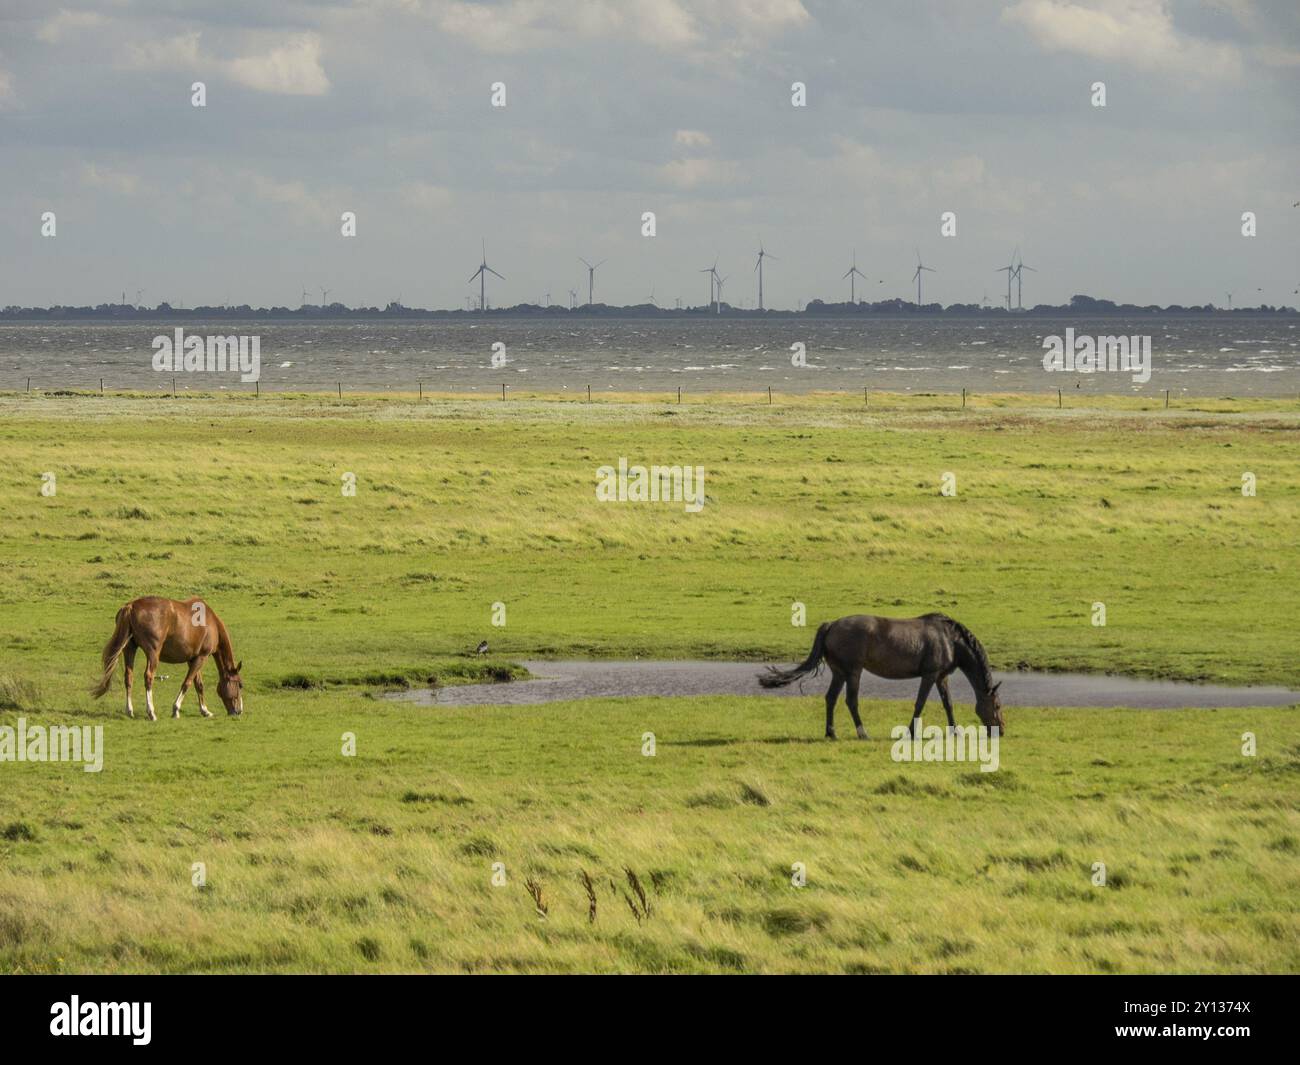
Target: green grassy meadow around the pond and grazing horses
{"points": [[384, 861]]}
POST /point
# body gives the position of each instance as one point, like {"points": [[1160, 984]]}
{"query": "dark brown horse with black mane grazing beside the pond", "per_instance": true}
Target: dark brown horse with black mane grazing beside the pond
{"points": [[930, 647]]}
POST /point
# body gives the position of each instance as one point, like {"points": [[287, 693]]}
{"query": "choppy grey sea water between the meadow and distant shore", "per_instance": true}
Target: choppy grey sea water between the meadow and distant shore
{"points": [[1201, 356]]}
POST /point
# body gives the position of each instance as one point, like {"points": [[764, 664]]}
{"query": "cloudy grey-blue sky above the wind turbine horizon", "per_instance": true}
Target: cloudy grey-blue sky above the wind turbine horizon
{"points": [[681, 107]]}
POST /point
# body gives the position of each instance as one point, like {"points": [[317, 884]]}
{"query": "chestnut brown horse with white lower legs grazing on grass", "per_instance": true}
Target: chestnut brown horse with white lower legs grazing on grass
{"points": [[172, 631]]}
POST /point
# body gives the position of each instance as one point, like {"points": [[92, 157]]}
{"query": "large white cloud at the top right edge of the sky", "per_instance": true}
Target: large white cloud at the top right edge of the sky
{"points": [[1139, 33]]}
